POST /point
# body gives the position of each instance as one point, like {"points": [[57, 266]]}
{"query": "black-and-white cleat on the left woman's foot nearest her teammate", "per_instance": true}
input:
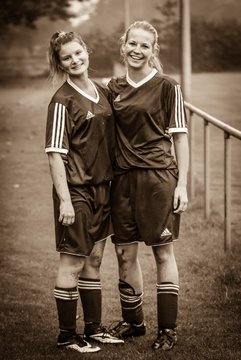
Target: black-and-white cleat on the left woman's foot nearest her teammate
{"points": [[101, 334]]}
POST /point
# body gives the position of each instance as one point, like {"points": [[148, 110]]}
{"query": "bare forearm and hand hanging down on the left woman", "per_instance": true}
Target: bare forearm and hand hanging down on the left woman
{"points": [[58, 174]]}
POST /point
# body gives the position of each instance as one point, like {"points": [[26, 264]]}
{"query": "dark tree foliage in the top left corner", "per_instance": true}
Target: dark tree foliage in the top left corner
{"points": [[26, 12]]}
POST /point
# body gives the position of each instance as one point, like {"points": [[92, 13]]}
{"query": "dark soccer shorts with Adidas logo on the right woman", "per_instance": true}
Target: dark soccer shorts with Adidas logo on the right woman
{"points": [[142, 207]]}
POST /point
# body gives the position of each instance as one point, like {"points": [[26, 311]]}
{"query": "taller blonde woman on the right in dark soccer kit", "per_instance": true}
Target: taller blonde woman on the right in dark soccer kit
{"points": [[149, 191]]}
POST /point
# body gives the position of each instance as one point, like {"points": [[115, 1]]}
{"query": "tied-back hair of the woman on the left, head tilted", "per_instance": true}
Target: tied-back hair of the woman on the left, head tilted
{"points": [[58, 39]]}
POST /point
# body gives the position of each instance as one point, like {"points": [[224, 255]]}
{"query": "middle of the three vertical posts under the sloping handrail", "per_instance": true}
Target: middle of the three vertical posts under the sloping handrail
{"points": [[206, 169]]}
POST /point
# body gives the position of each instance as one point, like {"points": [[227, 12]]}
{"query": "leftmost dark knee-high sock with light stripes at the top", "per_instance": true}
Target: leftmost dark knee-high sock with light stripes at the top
{"points": [[66, 301]]}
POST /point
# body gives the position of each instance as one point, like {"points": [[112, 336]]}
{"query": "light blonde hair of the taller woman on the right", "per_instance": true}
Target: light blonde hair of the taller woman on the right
{"points": [[145, 25]]}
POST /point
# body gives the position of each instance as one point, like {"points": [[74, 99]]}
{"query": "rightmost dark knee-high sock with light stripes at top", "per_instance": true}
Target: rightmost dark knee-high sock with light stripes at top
{"points": [[167, 305]]}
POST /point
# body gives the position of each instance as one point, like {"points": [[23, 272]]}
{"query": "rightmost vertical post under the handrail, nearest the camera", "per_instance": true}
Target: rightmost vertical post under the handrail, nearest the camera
{"points": [[227, 191]]}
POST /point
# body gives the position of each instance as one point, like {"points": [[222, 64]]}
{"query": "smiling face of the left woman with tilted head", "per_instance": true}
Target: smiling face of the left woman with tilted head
{"points": [[73, 58]]}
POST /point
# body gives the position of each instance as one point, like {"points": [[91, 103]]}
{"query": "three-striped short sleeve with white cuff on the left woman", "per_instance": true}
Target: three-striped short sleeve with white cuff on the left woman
{"points": [[56, 134]]}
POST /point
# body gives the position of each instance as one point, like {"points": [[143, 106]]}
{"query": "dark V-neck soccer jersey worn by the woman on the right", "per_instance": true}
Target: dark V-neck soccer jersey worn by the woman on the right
{"points": [[146, 115]]}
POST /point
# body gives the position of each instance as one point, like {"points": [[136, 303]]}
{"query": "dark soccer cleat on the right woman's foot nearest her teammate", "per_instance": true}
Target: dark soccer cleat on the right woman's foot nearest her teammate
{"points": [[125, 330]]}
